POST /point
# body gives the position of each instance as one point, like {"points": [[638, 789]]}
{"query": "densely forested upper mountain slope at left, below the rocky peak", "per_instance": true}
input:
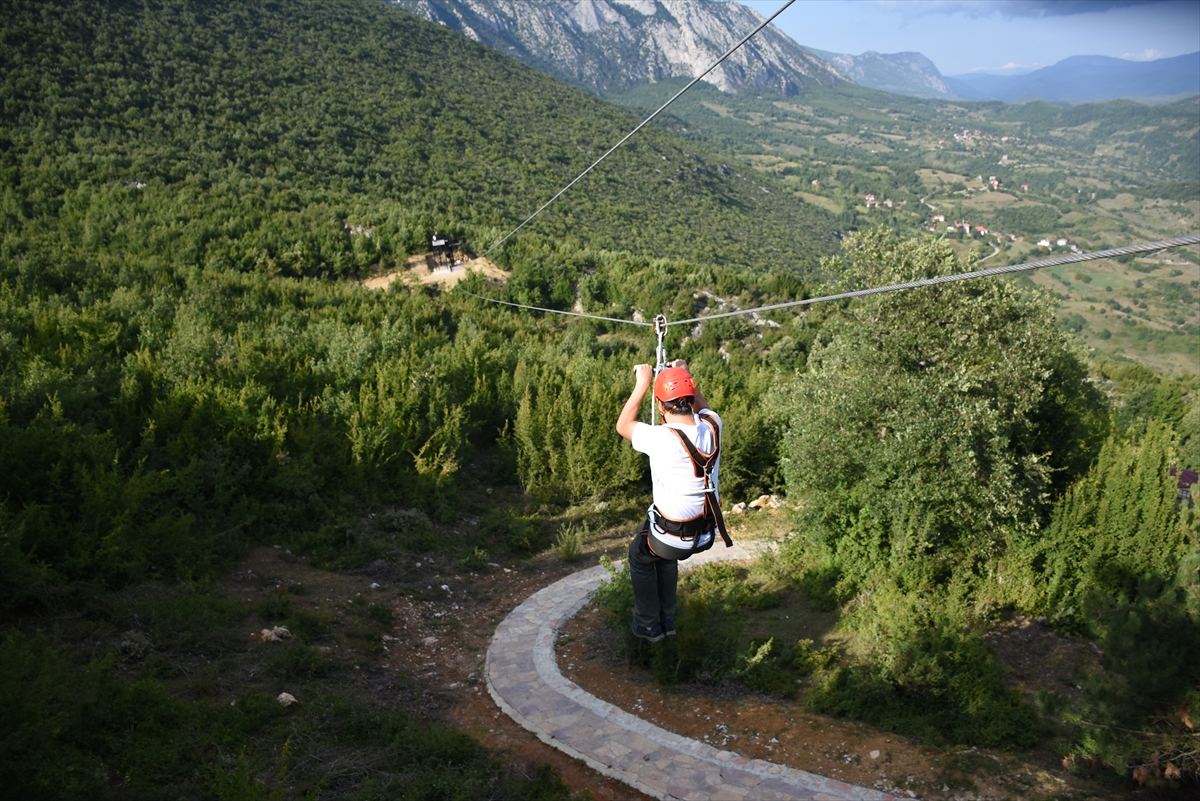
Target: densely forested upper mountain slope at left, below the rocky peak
{"points": [[382, 117]]}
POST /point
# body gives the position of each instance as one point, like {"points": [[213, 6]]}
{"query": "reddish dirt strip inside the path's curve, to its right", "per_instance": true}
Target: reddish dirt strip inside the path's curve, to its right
{"points": [[783, 732]]}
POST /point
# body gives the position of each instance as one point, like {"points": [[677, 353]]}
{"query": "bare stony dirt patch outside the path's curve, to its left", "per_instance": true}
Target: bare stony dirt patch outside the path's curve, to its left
{"points": [[431, 663]]}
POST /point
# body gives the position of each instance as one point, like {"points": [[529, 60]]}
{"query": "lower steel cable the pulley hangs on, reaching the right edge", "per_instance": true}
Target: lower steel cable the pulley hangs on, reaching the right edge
{"points": [[1130, 250]]}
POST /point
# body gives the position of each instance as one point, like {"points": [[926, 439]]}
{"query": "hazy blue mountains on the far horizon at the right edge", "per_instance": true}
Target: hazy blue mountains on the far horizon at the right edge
{"points": [[1083, 79]]}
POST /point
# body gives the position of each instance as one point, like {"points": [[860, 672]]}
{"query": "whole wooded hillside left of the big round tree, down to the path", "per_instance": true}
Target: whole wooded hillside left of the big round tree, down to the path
{"points": [[189, 378]]}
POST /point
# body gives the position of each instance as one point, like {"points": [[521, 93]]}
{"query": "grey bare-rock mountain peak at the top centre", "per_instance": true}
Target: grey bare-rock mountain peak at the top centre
{"points": [[613, 45]]}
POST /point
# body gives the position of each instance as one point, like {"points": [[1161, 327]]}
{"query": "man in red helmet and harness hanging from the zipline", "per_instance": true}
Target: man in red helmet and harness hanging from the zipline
{"points": [[686, 515]]}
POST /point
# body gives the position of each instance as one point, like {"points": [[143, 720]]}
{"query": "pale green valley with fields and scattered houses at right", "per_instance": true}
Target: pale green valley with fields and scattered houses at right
{"points": [[1095, 176]]}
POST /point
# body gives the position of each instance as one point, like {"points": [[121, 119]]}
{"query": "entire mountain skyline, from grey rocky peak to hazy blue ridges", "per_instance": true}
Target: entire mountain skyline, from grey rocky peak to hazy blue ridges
{"points": [[614, 45]]}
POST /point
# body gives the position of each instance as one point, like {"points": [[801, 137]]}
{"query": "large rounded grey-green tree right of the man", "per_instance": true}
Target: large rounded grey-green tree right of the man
{"points": [[935, 424]]}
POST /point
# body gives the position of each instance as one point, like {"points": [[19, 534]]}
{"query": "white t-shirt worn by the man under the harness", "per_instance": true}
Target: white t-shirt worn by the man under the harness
{"points": [[679, 493]]}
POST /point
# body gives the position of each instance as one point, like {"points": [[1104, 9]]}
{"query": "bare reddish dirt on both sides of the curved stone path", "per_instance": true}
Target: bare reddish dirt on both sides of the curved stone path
{"points": [[431, 663]]}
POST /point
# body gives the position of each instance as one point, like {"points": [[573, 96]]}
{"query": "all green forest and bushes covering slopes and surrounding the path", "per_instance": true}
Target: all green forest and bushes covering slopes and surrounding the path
{"points": [[189, 370]]}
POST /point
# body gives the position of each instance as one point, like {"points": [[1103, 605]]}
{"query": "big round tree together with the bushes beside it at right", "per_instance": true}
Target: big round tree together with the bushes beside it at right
{"points": [[929, 451]]}
